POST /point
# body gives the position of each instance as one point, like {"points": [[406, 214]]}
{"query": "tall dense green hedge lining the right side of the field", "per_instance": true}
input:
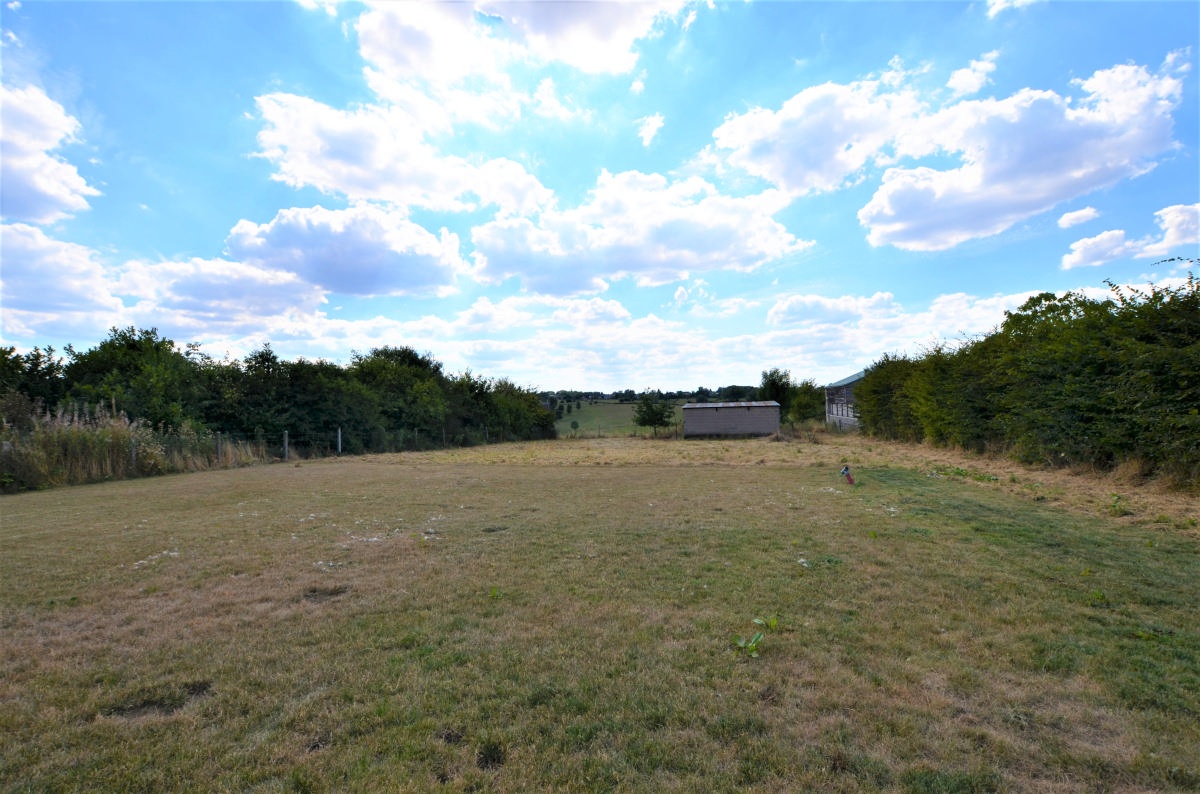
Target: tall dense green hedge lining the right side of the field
{"points": [[1065, 381]]}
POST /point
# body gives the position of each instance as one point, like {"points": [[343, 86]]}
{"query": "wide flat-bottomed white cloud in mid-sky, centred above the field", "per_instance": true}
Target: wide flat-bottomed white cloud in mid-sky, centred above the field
{"points": [[635, 226]]}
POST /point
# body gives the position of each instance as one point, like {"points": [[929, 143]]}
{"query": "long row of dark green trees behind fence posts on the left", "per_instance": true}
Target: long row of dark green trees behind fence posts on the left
{"points": [[388, 400]]}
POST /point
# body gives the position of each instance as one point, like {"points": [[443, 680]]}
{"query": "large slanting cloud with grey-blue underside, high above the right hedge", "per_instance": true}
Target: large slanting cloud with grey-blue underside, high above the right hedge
{"points": [[1022, 157]]}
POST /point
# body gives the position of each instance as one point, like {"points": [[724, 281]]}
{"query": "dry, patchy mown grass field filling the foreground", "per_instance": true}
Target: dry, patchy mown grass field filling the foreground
{"points": [[567, 617]]}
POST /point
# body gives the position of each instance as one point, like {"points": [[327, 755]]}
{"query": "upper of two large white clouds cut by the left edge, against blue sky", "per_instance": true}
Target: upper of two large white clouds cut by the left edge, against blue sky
{"points": [[39, 185]]}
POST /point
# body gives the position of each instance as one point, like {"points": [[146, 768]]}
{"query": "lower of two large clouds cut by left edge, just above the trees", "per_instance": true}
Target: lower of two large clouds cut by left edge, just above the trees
{"points": [[51, 287]]}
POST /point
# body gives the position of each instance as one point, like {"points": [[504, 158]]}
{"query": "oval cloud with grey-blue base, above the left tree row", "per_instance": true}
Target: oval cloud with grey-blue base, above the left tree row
{"points": [[358, 251]]}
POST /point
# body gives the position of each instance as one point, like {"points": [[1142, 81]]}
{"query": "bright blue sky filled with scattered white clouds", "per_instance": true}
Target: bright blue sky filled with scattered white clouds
{"points": [[590, 196]]}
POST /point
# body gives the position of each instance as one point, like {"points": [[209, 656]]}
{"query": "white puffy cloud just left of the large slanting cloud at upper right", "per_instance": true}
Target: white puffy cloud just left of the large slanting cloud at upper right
{"points": [[820, 140]]}
